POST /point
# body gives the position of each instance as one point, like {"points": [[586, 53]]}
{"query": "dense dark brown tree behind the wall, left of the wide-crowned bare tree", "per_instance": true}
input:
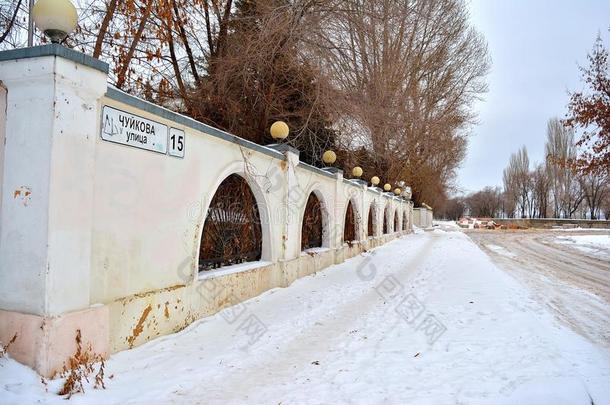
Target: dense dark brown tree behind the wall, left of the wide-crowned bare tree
{"points": [[265, 75]]}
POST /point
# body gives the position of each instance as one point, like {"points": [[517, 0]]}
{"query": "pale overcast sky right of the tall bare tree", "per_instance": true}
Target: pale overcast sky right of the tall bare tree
{"points": [[536, 47]]}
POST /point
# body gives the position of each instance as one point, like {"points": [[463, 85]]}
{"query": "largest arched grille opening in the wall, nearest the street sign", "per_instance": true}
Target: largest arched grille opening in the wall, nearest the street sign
{"points": [[232, 230]]}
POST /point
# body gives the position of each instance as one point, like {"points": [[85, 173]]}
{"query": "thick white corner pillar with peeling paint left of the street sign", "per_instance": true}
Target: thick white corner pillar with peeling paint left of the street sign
{"points": [[51, 126]]}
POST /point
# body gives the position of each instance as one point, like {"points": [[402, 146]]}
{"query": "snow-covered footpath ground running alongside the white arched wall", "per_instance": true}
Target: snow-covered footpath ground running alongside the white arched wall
{"points": [[427, 319]]}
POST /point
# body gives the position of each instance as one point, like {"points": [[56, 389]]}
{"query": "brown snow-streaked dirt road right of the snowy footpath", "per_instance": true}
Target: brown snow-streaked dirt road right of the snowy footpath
{"points": [[576, 286]]}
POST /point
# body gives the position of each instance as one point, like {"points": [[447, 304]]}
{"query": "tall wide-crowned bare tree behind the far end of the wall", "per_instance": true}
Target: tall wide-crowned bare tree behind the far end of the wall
{"points": [[408, 73]]}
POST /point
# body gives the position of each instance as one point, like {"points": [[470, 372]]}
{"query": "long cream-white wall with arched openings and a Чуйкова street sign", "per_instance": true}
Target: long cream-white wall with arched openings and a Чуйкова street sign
{"points": [[103, 237]]}
